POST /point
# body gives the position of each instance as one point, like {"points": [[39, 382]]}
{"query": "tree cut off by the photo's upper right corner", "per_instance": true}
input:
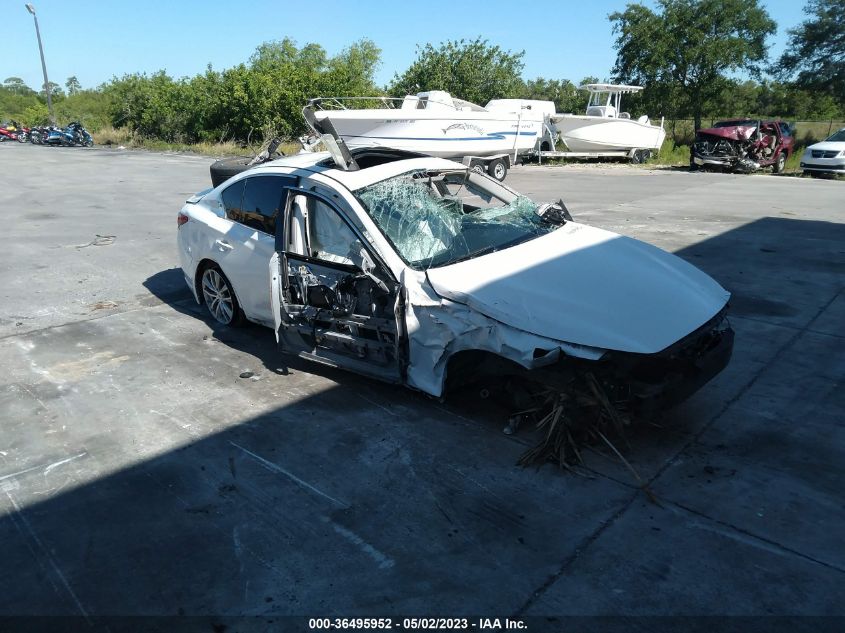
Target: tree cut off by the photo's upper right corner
{"points": [[815, 54]]}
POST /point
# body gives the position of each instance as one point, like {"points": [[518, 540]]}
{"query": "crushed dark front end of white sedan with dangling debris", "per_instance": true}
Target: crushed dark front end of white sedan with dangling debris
{"points": [[581, 403]]}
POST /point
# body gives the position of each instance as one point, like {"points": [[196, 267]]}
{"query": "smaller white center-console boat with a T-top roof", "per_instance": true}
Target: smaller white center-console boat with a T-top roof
{"points": [[605, 127]]}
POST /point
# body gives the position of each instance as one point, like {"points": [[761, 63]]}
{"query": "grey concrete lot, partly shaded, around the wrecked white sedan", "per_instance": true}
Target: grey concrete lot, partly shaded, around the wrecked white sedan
{"points": [[139, 474]]}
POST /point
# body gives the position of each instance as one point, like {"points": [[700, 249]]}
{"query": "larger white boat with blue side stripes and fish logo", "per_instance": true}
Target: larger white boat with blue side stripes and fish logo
{"points": [[434, 123]]}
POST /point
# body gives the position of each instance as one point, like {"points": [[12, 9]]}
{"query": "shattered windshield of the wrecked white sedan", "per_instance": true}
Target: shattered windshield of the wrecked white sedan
{"points": [[439, 218]]}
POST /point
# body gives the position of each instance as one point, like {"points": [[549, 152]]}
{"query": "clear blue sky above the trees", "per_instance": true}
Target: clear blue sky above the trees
{"points": [[95, 40]]}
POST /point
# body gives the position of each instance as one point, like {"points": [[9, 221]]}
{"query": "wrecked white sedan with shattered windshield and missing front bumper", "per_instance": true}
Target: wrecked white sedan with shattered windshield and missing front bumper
{"points": [[420, 271]]}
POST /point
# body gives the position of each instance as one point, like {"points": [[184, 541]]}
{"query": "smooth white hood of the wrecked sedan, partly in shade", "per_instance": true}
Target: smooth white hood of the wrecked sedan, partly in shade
{"points": [[587, 286]]}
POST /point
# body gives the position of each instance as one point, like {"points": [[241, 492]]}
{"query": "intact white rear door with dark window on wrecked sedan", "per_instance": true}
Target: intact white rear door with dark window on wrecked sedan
{"points": [[251, 206]]}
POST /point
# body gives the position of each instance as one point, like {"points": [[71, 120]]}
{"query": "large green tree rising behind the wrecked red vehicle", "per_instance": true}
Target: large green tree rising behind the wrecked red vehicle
{"points": [[683, 53]]}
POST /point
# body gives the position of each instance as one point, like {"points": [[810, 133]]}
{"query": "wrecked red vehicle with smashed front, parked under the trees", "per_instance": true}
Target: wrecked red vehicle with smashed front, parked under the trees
{"points": [[743, 145]]}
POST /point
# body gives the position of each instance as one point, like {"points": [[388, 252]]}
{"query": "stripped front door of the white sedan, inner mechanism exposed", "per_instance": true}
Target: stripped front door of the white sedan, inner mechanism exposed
{"points": [[333, 300]]}
